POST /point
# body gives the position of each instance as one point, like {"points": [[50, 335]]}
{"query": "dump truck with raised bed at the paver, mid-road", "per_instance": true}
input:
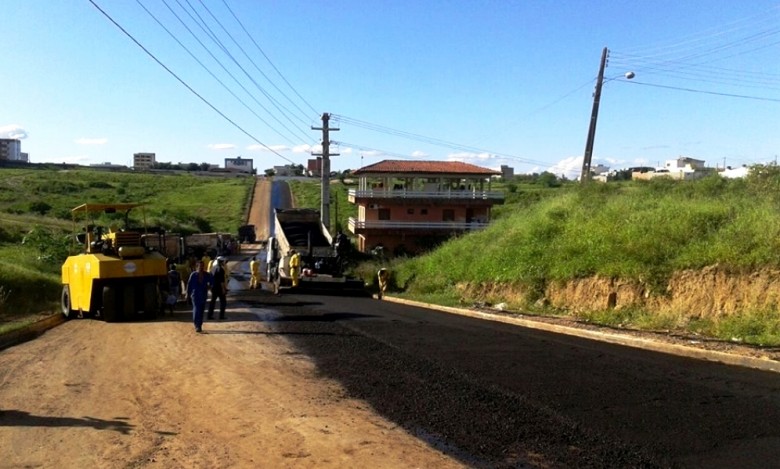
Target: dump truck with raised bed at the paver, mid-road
{"points": [[321, 263]]}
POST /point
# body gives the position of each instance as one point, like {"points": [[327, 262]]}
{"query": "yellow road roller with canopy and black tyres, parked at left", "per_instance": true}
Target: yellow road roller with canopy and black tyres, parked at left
{"points": [[115, 277]]}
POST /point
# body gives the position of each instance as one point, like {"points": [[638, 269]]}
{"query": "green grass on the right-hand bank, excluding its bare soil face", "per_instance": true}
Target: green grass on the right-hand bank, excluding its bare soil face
{"points": [[640, 231]]}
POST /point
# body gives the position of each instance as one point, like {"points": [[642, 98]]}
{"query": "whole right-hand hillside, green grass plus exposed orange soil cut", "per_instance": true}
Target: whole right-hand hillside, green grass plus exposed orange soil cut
{"points": [[699, 257]]}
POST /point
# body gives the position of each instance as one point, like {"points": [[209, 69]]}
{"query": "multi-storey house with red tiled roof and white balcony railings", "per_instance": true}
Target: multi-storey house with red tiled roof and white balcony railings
{"points": [[411, 206]]}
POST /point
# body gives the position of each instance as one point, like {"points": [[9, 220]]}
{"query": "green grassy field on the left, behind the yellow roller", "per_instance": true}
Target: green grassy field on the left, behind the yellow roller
{"points": [[36, 225]]}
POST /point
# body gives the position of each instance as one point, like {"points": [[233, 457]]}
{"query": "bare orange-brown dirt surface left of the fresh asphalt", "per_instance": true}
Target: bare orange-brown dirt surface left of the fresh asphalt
{"points": [[92, 394]]}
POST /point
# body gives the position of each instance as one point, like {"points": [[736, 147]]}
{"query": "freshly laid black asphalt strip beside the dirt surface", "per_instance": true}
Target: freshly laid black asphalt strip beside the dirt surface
{"points": [[496, 395]]}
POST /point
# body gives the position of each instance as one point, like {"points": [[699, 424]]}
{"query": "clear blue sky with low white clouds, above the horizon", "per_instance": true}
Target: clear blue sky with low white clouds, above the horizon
{"points": [[488, 82]]}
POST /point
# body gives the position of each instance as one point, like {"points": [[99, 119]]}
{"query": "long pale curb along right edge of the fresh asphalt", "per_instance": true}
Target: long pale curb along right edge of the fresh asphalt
{"points": [[763, 364]]}
